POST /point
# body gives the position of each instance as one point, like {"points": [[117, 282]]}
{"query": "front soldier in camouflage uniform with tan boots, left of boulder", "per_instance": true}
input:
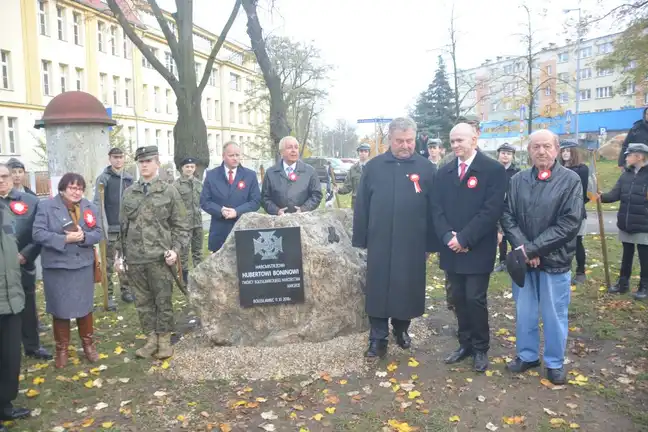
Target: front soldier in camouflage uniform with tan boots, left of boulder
{"points": [[154, 230]]}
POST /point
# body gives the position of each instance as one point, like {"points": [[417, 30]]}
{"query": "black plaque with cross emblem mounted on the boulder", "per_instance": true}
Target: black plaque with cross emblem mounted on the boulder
{"points": [[269, 266]]}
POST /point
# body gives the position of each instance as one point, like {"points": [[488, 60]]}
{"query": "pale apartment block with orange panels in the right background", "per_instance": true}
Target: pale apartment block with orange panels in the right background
{"points": [[496, 90]]}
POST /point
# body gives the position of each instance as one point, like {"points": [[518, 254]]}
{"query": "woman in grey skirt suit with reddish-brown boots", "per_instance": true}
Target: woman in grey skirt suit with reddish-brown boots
{"points": [[67, 227]]}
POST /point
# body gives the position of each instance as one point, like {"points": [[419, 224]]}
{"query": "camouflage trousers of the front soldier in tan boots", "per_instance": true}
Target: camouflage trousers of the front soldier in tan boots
{"points": [[152, 287]]}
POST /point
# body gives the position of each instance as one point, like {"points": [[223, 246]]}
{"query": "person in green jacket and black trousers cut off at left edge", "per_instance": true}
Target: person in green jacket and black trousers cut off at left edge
{"points": [[12, 302]]}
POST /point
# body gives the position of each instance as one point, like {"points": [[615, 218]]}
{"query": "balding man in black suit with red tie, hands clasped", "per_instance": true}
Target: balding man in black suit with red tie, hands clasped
{"points": [[468, 202]]}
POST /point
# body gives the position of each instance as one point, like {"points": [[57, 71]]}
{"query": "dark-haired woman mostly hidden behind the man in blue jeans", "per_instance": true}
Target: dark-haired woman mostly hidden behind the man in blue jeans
{"points": [[570, 157]]}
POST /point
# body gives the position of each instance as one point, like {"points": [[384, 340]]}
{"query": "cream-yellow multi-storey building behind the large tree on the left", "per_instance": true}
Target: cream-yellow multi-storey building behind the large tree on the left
{"points": [[48, 47]]}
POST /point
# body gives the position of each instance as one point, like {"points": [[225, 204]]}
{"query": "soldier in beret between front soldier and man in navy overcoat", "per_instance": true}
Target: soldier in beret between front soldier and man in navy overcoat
{"points": [[190, 189]]}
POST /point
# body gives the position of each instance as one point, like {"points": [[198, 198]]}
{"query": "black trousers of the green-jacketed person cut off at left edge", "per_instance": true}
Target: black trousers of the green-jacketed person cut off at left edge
{"points": [[9, 358]]}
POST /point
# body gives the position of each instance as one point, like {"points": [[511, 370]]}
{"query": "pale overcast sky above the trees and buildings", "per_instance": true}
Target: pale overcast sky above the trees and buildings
{"points": [[385, 51]]}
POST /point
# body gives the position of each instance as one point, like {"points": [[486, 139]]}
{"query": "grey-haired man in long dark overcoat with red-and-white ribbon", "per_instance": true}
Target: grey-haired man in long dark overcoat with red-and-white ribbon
{"points": [[392, 220]]}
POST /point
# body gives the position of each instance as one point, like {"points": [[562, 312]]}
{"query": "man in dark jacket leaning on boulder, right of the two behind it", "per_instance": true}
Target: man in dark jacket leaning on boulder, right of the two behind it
{"points": [[291, 186]]}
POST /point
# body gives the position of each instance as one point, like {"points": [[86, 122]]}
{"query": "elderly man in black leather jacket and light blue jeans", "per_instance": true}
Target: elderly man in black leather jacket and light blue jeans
{"points": [[542, 217]]}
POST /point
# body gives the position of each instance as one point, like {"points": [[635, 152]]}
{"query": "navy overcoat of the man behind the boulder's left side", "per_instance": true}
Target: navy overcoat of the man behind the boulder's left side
{"points": [[243, 196]]}
